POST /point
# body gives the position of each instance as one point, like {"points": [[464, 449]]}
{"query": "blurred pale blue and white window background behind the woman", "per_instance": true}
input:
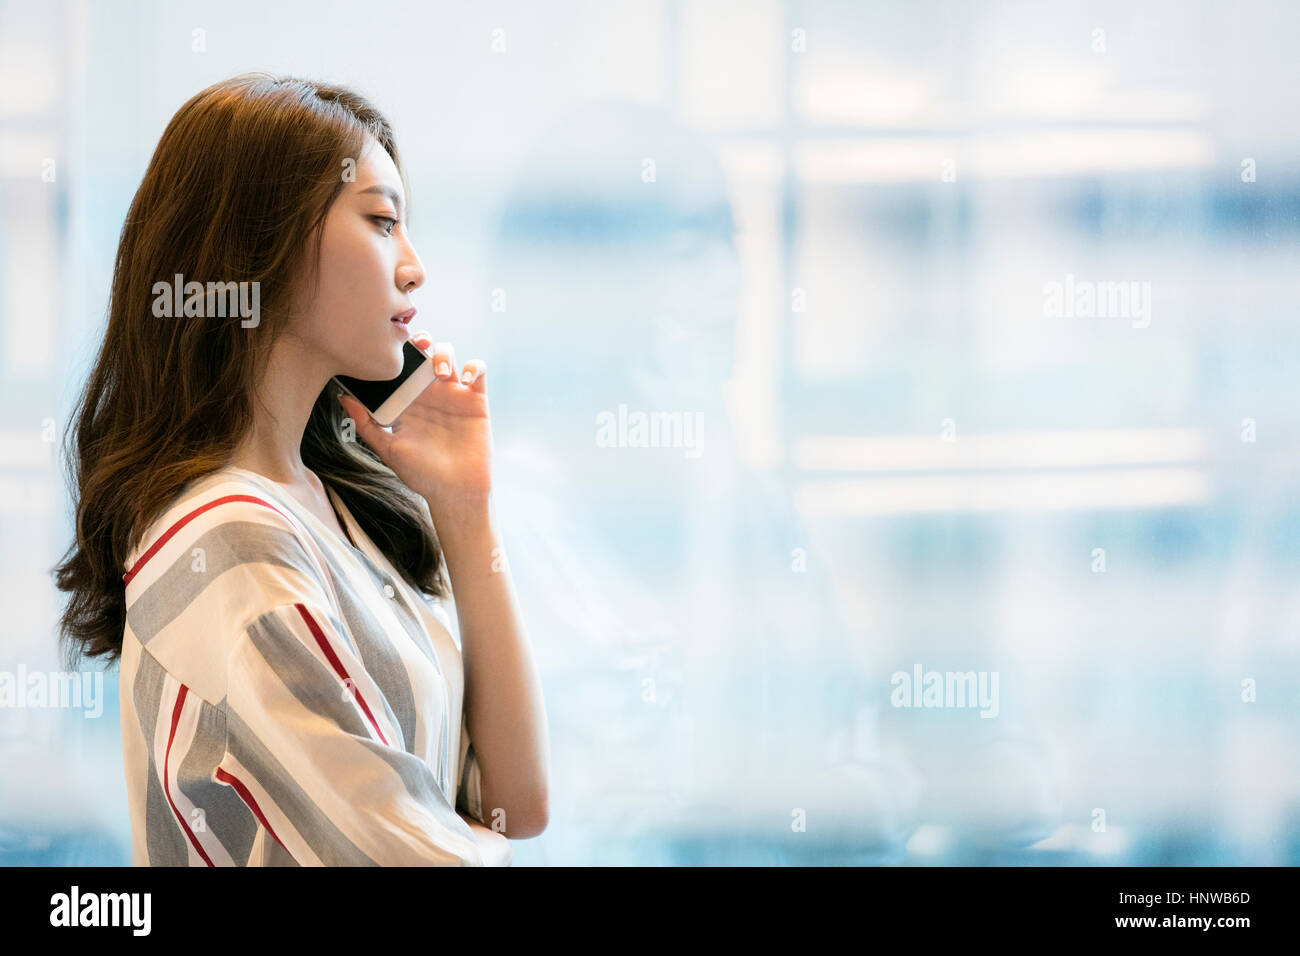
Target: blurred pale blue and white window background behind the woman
{"points": [[787, 405]]}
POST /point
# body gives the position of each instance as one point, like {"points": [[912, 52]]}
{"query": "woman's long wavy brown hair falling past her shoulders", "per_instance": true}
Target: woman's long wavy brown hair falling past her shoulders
{"points": [[237, 192]]}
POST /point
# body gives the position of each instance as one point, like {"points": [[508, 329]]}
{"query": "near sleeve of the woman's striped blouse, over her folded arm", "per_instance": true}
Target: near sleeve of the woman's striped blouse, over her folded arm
{"points": [[310, 750]]}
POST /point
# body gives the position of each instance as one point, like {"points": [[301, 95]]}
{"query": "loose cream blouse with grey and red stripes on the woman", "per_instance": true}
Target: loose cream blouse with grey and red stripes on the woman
{"points": [[287, 698]]}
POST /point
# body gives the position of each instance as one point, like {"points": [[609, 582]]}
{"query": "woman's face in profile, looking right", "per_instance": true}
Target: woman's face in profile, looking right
{"points": [[369, 270]]}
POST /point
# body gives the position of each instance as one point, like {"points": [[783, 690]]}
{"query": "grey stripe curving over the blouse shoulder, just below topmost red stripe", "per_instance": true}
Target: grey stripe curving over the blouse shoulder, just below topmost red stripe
{"points": [[224, 547]]}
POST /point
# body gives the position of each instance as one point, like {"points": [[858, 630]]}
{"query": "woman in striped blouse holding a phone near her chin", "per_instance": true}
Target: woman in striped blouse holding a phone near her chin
{"points": [[266, 563]]}
